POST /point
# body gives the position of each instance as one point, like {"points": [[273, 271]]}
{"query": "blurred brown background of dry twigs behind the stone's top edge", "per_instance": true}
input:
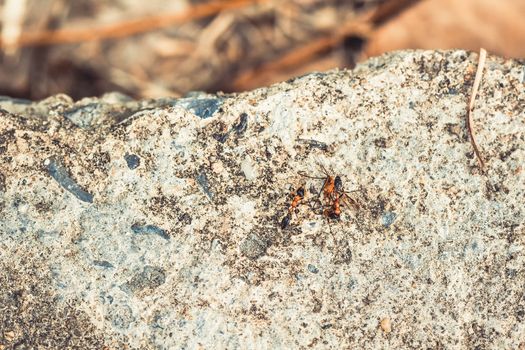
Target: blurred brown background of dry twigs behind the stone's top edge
{"points": [[155, 48]]}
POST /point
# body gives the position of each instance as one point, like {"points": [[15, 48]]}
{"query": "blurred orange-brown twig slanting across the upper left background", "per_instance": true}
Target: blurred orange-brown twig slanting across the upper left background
{"points": [[131, 27]]}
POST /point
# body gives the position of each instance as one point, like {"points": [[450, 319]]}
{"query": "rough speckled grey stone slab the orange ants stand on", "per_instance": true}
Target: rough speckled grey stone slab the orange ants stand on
{"points": [[157, 223]]}
